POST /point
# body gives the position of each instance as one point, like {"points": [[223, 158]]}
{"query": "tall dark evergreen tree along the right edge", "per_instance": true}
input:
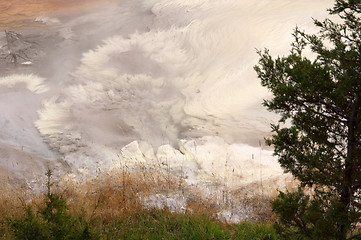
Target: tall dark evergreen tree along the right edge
{"points": [[318, 137]]}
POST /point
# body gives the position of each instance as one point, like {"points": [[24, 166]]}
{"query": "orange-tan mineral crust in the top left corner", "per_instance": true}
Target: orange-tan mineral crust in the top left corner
{"points": [[22, 13]]}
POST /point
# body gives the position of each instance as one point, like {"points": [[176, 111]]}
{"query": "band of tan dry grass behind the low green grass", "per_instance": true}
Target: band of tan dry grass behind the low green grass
{"points": [[121, 194]]}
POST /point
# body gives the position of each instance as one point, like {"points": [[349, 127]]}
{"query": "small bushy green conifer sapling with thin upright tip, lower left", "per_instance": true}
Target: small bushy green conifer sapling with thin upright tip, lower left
{"points": [[51, 221]]}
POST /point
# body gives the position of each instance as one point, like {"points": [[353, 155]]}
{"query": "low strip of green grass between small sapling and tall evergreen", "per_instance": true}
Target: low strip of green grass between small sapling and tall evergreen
{"points": [[161, 224]]}
